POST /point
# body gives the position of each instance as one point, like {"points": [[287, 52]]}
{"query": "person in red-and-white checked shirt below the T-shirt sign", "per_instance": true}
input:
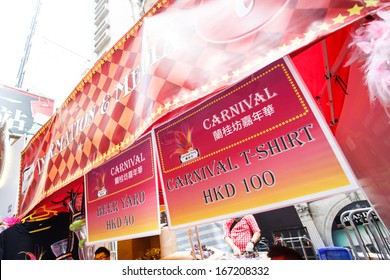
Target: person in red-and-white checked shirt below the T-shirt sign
{"points": [[241, 234]]}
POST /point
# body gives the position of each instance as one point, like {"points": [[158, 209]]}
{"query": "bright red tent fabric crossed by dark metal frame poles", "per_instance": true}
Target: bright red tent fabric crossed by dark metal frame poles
{"points": [[326, 77]]}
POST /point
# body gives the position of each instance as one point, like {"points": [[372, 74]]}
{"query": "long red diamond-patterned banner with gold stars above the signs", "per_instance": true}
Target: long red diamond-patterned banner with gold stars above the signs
{"points": [[169, 59]]}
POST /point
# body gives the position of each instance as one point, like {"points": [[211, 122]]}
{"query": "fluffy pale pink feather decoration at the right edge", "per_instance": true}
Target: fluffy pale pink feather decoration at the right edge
{"points": [[371, 45]]}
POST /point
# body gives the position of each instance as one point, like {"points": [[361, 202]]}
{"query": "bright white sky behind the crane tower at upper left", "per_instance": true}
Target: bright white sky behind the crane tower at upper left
{"points": [[61, 51]]}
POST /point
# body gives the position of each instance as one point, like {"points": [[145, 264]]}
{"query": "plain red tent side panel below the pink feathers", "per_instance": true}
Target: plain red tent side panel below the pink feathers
{"points": [[363, 134]]}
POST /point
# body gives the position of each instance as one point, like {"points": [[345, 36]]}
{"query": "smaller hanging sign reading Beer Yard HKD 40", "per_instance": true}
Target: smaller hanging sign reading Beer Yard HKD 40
{"points": [[122, 196]]}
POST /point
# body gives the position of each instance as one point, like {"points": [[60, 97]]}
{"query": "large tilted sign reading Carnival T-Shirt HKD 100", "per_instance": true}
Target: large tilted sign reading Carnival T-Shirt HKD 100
{"points": [[258, 145]]}
